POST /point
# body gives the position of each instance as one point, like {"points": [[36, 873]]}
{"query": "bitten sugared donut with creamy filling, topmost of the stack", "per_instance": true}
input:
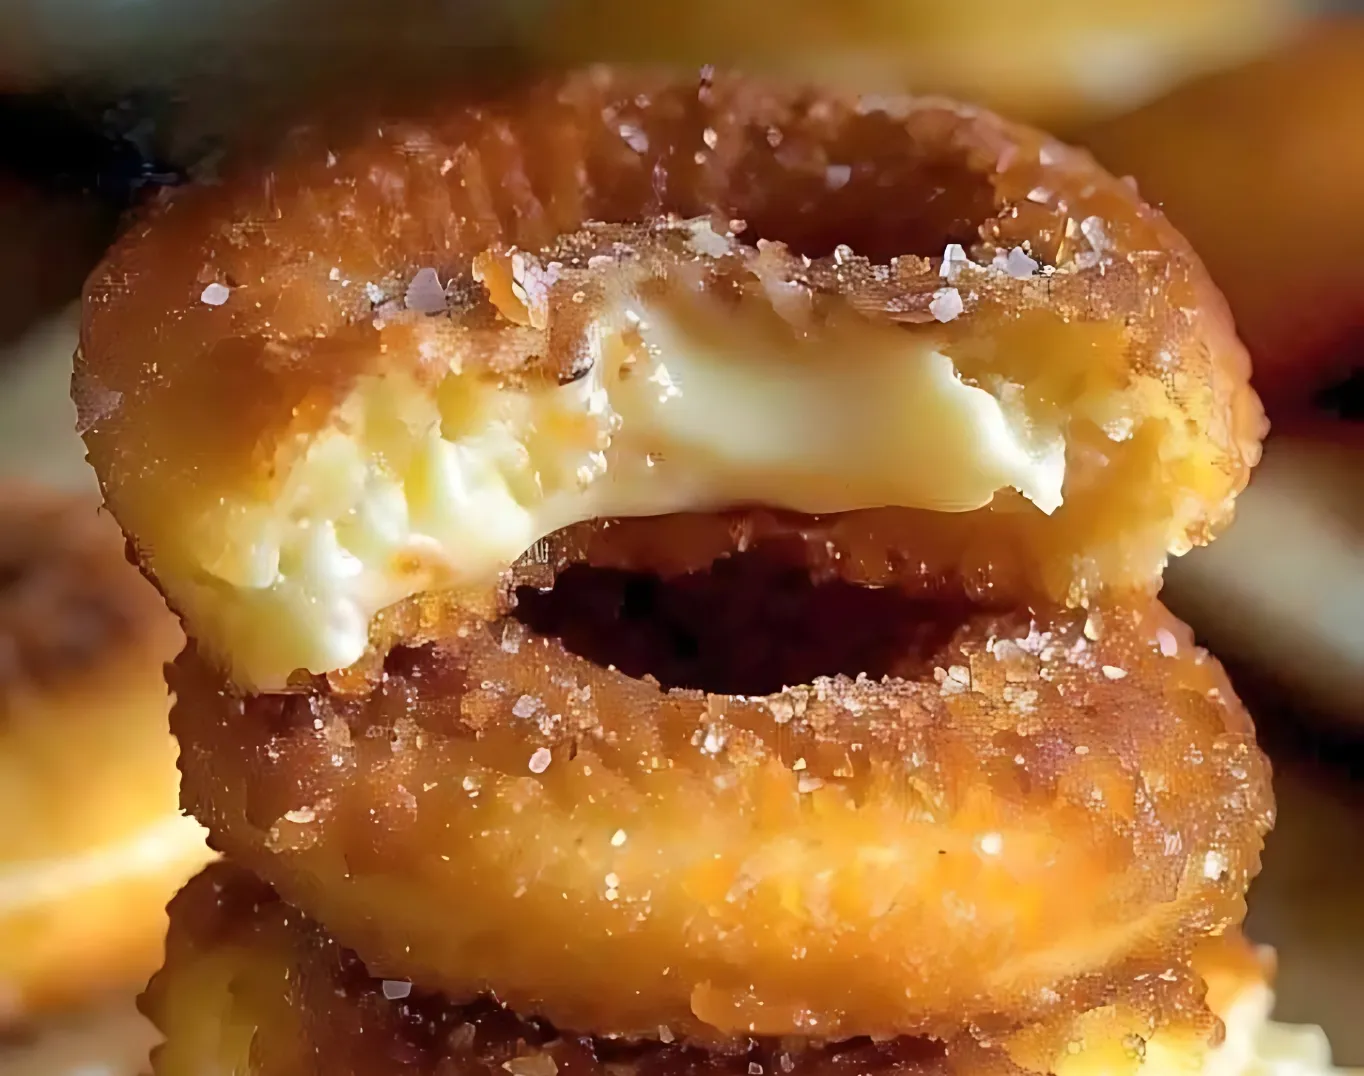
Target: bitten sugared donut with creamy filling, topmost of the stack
{"points": [[389, 362]]}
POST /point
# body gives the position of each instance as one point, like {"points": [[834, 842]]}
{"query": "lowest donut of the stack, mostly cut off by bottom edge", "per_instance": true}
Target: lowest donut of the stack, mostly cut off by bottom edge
{"points": [[254, 988]]}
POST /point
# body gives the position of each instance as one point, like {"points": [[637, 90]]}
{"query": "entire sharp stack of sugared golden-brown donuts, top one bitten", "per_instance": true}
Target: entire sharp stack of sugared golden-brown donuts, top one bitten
{"points": [[670, 572]]}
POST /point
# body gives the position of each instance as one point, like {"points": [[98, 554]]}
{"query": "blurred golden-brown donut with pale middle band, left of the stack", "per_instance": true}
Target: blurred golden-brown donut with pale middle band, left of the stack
{"points": [[93, 845]]}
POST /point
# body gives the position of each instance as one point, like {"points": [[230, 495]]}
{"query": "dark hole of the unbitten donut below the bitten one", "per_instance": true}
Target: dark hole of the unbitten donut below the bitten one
{"points": [[751, 624]]}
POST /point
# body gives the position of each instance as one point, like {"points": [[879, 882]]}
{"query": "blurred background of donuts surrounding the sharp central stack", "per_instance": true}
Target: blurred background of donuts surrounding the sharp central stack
{"points": [[1243, 118]]}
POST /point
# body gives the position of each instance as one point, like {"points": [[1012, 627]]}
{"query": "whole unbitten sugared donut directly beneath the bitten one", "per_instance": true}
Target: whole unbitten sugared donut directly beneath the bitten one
{"points": [[1031, 808]]}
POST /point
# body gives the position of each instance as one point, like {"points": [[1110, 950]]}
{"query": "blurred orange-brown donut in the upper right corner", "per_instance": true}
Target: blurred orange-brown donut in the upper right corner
{"points": [[1283, 234]]}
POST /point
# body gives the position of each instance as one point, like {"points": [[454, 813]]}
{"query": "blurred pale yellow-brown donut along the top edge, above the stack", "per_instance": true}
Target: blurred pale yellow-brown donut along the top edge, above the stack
{"points": [[1065, 63]]}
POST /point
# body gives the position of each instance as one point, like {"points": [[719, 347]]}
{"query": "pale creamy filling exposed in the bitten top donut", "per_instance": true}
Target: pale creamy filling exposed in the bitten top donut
{"points": [[411, 490]]}
